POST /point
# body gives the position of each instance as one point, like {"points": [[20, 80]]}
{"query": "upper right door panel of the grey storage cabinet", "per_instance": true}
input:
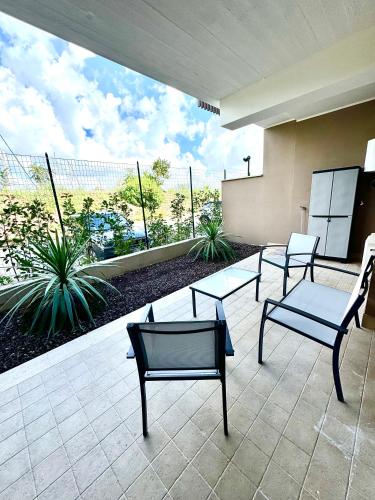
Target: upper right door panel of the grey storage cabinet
{"points": [[343, 191]]}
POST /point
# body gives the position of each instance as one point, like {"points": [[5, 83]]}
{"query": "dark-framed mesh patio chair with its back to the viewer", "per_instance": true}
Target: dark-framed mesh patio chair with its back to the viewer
{"points": [[181, 350]]}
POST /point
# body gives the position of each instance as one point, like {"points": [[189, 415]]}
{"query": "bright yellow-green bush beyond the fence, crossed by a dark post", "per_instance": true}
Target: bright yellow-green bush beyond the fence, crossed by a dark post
{"points": [[151, 190]]}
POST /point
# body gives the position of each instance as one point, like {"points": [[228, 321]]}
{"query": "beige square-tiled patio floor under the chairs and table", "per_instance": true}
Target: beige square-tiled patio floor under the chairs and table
{"points": [[74, 429]]}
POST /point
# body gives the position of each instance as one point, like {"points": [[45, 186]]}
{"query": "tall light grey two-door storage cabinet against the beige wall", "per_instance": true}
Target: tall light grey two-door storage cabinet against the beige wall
{"points": [[331, 209]]}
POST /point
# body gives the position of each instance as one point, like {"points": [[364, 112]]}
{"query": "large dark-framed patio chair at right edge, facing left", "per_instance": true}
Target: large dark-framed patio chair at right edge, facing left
{"points": [[320, 313]]}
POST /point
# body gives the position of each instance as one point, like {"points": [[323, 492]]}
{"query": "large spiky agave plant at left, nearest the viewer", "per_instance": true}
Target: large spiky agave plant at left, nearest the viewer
{"points": [[61, 291]]}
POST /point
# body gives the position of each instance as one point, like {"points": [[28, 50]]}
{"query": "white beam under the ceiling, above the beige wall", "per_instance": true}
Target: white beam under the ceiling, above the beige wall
{"points": [[333, 77]]}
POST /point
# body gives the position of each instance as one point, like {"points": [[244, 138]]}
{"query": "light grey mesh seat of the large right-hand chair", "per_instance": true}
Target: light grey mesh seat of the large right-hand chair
{"points": [[319, 300]]}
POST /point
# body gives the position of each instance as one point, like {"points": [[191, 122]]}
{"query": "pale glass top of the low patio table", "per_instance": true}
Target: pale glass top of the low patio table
{"points": [[225, 282]]}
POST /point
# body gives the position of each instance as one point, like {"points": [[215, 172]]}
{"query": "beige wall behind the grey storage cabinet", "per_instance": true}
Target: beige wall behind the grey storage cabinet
{"points": [[267, 208]]}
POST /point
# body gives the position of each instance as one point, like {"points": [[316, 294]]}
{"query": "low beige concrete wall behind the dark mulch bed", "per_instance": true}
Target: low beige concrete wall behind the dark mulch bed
{"points": [[121, 265]]}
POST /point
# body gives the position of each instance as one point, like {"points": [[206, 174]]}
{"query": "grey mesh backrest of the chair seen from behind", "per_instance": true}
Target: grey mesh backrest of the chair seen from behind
{"points": [[184, 345]]}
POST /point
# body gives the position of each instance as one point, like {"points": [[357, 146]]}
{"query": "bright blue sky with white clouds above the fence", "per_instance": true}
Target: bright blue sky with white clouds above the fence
{"points": [[62, 99]]}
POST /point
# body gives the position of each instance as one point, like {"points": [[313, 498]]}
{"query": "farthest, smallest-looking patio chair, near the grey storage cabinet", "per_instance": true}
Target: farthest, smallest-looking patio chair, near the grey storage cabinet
{"points": [[299, 252]]}
